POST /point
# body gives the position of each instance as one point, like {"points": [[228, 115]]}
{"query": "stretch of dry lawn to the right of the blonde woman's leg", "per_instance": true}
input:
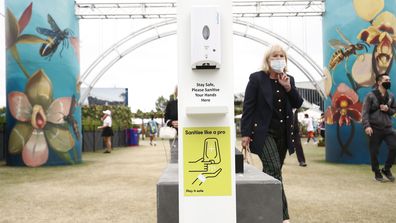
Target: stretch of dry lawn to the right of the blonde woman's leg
{"points": [[328, 192]]}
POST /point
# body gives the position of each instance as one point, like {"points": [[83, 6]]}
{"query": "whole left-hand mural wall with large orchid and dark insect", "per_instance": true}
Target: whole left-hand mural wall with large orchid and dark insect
{"points": [[42, 54]]}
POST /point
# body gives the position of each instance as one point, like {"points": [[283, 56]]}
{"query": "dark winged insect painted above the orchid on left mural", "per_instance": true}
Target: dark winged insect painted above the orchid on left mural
{"points": [[55, 37]]}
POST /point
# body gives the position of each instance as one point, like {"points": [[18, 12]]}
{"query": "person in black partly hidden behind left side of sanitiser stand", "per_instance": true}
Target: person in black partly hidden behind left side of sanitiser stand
{"points": [[171, 119]]}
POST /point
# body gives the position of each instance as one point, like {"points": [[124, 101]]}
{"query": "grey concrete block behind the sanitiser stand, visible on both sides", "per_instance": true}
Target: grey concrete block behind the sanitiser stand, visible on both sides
{"points": [[258, 196]]}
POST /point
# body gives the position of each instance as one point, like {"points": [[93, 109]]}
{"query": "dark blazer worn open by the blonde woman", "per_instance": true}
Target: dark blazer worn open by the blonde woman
{"points": [[258, 107]]}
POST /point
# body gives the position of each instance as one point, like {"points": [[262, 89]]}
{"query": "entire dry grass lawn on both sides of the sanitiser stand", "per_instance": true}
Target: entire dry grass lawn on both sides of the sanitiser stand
{"points": [[121, 187]]}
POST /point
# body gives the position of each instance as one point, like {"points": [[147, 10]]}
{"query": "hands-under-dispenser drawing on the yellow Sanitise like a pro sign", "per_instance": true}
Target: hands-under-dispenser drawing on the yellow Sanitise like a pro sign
{"points": [[207, 164]]}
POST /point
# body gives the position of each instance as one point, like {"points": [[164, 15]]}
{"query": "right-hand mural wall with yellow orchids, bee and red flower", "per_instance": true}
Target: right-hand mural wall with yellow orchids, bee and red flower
{"points": [[358, 46]]}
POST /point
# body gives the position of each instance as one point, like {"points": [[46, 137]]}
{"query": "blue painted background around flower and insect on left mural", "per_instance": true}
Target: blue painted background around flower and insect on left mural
{"points": [[63, 70]]}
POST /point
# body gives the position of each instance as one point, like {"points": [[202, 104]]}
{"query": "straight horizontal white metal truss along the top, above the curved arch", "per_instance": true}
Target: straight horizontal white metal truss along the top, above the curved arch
{"points": [[112, 9]]}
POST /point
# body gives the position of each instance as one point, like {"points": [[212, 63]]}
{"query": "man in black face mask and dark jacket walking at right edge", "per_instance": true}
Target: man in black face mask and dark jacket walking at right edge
{"points": [[378, 108]]}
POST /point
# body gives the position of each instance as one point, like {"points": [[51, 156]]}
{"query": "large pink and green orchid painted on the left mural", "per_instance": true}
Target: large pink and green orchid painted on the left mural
{"points": [[40, 121]]}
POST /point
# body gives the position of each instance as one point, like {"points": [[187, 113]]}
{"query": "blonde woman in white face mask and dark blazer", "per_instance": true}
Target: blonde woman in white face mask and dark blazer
{"points": [[267, 118]]}
